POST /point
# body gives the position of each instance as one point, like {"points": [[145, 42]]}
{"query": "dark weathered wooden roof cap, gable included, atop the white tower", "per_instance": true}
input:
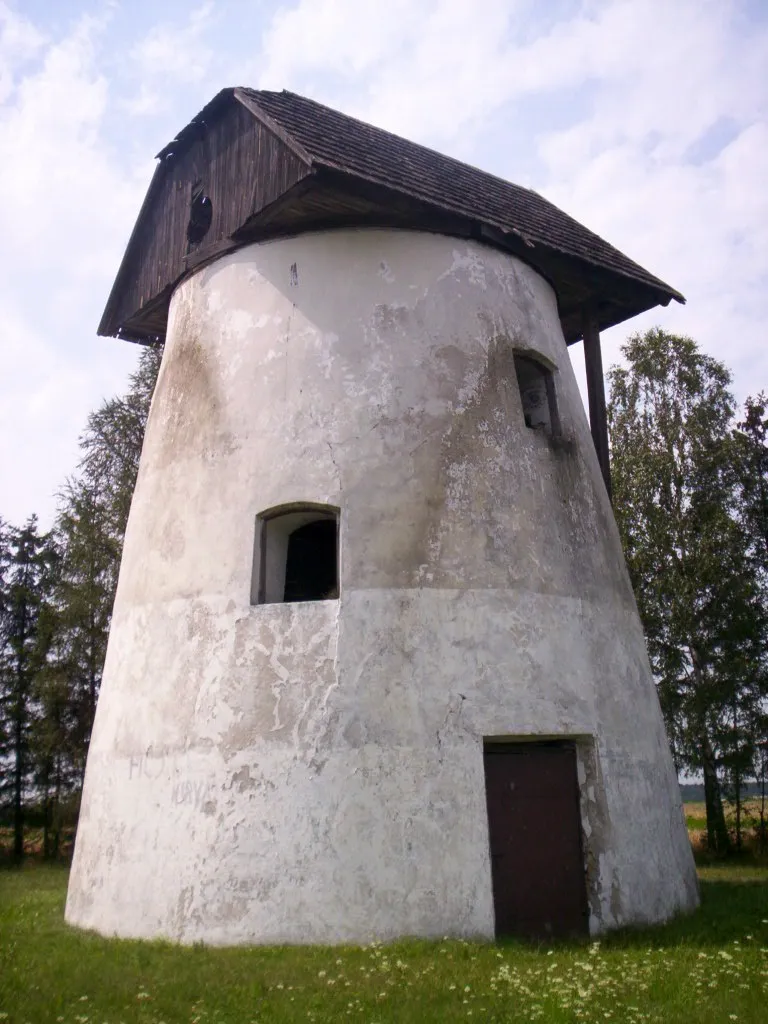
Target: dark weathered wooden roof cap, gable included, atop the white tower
{"points": [[276, 164]]}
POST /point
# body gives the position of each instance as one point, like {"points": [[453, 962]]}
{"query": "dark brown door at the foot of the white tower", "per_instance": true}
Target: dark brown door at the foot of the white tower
{"points": [[536, 841]]}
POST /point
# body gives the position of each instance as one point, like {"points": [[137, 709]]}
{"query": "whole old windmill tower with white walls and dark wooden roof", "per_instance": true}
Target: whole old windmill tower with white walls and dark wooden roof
{"points": [[375, 666]]}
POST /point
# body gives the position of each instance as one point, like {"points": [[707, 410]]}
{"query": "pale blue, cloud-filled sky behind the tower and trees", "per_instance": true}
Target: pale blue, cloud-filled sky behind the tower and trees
{"points": [[647, 120]]}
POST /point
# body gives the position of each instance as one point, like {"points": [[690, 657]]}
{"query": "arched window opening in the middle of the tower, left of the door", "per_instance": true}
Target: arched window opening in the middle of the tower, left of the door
{"points": [[296, 554]]}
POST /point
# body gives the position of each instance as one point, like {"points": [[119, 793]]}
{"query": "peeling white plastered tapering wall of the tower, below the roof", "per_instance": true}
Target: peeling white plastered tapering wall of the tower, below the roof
{"points": [[314, 773]]}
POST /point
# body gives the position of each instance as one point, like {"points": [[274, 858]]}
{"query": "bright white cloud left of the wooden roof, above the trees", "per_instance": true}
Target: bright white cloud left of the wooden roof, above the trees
{"points": [[67, 206]]}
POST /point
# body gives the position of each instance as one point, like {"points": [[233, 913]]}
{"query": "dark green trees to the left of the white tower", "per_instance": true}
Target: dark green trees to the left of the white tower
{"points": [[57, 593]]}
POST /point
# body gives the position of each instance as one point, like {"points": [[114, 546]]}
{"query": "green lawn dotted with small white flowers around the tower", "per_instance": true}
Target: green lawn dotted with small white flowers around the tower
{"points": [[712, 967]]}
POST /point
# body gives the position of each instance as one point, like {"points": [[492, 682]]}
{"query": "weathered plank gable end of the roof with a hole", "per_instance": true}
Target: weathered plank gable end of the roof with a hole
{"points": [[242, 166]]}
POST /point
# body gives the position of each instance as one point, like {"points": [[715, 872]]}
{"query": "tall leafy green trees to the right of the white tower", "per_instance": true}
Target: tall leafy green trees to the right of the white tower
{"points": [[680, 497]]}
